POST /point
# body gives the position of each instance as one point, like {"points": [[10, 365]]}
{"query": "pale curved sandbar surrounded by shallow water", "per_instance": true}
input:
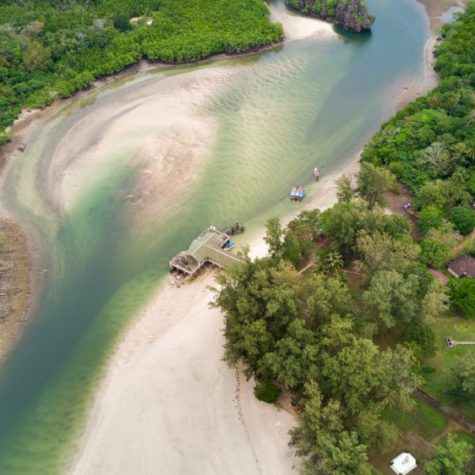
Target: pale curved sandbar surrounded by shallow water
{"points": [[155, 128]]}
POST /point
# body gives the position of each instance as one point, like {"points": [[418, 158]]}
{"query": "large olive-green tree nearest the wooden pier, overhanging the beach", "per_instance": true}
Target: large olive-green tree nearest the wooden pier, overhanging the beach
{"points": [[260, 301]]}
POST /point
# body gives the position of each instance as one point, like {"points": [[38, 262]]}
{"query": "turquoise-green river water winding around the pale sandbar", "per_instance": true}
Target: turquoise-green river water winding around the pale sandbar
{"points": [[311, 101]]}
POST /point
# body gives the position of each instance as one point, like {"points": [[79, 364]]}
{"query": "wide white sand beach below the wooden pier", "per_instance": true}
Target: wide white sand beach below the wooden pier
{"points": [[170, 405]]}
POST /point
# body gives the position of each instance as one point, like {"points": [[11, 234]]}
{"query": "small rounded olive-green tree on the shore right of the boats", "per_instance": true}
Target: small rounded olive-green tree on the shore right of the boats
{"points": [[372, 182]]}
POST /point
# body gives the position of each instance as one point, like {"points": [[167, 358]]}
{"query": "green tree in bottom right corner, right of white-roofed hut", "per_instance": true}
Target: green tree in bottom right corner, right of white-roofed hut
{"points": [[449, 458]]}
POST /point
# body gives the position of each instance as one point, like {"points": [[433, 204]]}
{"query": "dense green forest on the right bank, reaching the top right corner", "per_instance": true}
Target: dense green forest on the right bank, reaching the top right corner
{"points": [[430, 144]]}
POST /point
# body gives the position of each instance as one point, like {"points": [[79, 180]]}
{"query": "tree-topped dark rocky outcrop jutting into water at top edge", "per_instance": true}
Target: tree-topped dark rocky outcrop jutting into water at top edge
{"points": [[351, 14]]}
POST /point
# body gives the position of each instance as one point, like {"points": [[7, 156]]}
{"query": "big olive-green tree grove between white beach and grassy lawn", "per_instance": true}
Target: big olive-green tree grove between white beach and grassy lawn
{"points": [[311, 334]]}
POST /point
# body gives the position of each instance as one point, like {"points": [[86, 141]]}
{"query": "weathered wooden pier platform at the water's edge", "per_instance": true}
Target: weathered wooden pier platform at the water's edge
{"points": [[210, 247]]}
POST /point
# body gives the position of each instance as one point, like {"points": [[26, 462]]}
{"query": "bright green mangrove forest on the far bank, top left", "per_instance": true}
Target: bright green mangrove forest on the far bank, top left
{"points": [[57, 48]]}
